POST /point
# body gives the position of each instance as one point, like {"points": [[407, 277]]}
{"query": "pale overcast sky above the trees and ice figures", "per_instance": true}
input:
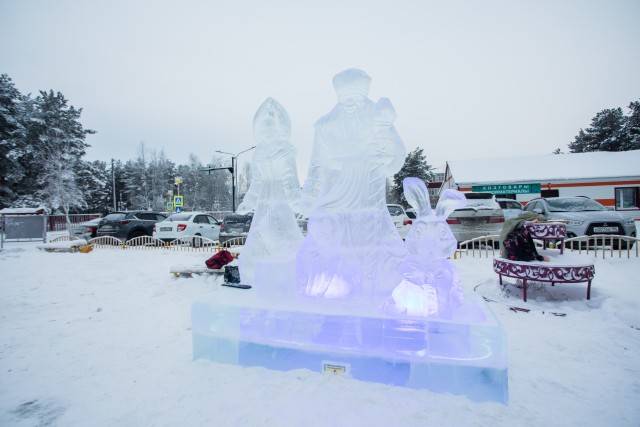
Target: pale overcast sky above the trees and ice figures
{"points": [[468, 79]]}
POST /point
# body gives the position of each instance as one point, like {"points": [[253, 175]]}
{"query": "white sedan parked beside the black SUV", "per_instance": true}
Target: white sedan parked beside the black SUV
{"points": [[188, 224]]}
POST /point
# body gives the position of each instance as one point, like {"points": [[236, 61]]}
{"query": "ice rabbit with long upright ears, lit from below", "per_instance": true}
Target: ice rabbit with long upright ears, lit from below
{"points": [[431, 283]]}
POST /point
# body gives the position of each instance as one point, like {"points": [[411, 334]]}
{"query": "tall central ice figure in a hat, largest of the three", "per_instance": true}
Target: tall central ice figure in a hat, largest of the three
{"points": [[352, 248]]}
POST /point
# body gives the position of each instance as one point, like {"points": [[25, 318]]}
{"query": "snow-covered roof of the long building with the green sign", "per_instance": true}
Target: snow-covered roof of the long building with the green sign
{"points": [[601, 164]]}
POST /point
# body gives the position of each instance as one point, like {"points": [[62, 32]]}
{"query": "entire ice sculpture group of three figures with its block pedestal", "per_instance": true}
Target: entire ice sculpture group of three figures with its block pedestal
{"points": [[353, 255]]}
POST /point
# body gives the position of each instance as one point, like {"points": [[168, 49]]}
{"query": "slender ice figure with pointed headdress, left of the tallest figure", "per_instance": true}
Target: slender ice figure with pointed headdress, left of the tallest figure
{"points": [[268, 256]]}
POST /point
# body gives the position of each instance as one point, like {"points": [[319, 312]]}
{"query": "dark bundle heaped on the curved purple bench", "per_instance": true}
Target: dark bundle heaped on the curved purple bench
{"points": [[516, 243]]}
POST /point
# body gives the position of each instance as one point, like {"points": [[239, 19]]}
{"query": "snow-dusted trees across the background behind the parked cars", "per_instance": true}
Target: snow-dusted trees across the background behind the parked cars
{"points": [[42, 145]]}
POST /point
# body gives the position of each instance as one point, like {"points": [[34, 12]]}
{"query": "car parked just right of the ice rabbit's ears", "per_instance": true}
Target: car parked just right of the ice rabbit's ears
{"points": [[481, 217]]}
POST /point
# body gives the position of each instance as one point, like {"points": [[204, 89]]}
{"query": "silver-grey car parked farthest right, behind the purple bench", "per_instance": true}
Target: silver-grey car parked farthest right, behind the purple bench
{"points": [[583, 216]]}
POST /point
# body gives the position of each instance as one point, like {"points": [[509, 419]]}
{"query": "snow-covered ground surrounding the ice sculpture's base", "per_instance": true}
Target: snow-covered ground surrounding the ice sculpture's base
{"points": [[103, 339]]}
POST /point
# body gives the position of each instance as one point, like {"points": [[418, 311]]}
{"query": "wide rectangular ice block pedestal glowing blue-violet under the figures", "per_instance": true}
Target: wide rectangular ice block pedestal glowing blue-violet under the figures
{"points": [[463, 355]]}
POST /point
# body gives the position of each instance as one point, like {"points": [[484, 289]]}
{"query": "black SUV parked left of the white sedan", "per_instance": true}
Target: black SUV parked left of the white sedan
{"points": [[129, 224]]}
